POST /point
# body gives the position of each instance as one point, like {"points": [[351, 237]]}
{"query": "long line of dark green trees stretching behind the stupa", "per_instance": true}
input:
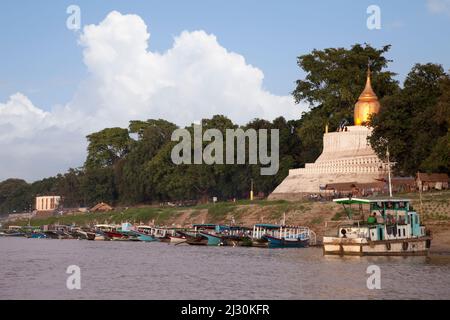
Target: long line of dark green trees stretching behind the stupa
{"points": [[133, 165]]}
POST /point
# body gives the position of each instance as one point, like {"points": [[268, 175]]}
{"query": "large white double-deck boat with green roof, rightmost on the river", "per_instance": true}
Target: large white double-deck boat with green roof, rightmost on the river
{"points": [[392, 228]]}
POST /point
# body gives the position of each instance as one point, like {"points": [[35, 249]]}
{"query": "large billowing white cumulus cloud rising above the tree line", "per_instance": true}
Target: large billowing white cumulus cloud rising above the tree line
{"points": [[196, 78]]}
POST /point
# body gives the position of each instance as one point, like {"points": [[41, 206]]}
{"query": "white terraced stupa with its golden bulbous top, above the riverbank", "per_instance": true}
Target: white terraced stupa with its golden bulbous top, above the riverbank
{"points": [[347, 156]]}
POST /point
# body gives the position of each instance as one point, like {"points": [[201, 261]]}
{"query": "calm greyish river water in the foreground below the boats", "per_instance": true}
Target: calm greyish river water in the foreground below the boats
{"points": [[36, 269]]}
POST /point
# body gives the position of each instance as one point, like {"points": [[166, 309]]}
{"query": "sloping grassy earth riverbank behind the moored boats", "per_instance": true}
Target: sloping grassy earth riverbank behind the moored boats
{"points": [[434, 208]]}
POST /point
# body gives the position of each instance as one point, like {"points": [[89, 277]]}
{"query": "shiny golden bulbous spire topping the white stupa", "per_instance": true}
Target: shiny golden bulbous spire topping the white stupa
{"points": [[367, 104]]}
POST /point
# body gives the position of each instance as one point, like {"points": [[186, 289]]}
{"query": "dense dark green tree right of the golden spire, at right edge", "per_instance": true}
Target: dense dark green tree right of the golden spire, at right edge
{"points": [[409, 120]]}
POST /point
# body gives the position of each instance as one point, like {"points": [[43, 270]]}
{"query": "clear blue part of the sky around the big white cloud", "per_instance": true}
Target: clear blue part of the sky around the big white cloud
{"points": [[41, 58]]}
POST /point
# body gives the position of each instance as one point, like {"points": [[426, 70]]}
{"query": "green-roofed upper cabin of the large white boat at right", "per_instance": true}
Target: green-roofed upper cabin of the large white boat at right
{"points": [[385, 219]]}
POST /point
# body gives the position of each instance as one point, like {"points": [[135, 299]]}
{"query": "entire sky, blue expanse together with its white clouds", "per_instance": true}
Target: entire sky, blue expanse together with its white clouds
{"points": [[177, 60]]}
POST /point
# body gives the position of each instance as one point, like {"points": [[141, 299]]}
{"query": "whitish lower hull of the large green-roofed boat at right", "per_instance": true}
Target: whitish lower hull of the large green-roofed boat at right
{"points": [[362, 247]]}
